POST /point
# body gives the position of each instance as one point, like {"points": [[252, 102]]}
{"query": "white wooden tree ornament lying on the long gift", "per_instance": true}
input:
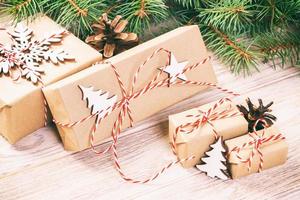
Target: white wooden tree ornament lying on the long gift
{"points": [[97, 101]]}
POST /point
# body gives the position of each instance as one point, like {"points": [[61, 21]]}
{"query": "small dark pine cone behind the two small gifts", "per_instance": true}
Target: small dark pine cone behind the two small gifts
{"points": [[254, 113]]}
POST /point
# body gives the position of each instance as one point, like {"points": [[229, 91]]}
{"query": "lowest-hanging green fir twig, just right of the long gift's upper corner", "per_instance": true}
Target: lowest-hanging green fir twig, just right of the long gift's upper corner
{"points": [[232, 50]]}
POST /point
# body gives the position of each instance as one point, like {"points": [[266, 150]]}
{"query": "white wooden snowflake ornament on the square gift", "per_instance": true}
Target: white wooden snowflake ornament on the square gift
{"points": [[27, 54]]}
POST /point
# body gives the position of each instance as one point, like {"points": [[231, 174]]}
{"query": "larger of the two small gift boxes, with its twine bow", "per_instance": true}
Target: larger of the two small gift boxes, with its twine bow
{"points": [[193, 131]]}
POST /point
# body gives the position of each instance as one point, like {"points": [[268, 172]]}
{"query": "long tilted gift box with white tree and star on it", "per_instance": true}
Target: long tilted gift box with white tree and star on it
{"points": [[121, 75]]}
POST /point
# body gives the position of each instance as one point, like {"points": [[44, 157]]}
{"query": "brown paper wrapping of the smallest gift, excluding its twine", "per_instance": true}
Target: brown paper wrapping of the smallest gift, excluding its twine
{"points": [[274, 153]]}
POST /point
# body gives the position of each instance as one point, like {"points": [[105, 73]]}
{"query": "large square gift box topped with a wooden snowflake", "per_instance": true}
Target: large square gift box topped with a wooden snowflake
{"points": [[22, 106]]}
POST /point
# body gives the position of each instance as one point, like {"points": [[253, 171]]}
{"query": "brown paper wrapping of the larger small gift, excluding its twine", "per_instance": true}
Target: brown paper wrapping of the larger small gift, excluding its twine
{"points": [[198, 142]]}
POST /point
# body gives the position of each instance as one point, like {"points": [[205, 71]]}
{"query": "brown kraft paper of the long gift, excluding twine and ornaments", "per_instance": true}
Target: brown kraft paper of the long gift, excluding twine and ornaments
{"points": [[65, 97]]}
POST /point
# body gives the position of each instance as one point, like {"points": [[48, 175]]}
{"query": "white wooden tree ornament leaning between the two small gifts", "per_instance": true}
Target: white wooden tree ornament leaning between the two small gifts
{"points": [[214, 164]]}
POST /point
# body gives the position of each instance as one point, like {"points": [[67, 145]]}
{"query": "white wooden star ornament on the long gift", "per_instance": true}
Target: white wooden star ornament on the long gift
{"points": [[175, 68]]}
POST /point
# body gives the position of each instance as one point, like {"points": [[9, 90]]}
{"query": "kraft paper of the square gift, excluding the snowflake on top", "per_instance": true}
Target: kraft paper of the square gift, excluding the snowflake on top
{"points": [[21, 103]]}
